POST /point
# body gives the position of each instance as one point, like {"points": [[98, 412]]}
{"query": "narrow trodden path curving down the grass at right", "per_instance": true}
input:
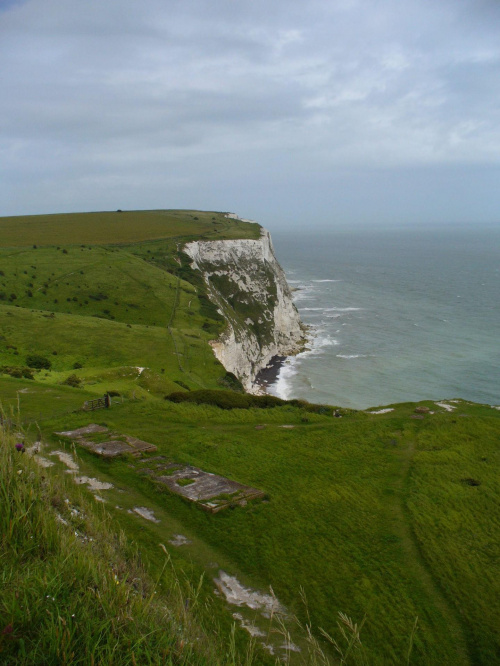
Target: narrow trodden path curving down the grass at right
{"points": [[420, 568]]}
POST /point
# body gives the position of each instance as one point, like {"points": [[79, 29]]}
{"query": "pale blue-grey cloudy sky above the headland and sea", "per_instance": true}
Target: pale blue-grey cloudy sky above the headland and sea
{"points": [[297, 114]]}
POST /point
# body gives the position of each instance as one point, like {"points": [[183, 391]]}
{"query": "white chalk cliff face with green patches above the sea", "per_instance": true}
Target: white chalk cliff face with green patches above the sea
{"points": [[249, 287]]}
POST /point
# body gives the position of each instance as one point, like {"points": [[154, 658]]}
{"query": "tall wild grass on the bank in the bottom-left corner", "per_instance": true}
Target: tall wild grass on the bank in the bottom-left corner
{"points": [[72, 589]]}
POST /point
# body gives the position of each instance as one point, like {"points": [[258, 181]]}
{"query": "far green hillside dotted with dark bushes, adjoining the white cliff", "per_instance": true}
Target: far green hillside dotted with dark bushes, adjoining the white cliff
{"points": [[109, 307]]}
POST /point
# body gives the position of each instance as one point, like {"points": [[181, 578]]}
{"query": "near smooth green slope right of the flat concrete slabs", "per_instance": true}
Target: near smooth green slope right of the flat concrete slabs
{"points": [[344, 520]]}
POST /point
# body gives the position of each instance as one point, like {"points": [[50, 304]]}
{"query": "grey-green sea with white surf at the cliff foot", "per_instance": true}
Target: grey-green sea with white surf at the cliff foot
{"points": [[394, 315]]}
